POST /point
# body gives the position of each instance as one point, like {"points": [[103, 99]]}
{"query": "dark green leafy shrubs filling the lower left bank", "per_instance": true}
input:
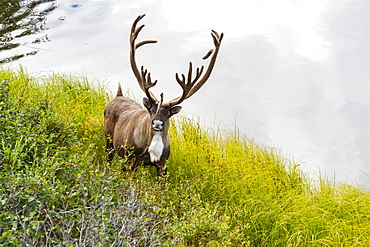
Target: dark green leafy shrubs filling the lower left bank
{"points": [[52, 190]]}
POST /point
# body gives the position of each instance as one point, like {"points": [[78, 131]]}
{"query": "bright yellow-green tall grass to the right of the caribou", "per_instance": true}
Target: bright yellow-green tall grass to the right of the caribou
{"points": [[268, 201]]}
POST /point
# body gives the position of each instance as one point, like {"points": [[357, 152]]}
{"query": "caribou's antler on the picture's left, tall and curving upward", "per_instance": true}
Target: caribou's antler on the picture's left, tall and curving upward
{"points": [[142, 76]]}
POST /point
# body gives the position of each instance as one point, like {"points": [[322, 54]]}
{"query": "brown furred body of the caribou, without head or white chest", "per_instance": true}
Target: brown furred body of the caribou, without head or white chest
{"points": [[129, 132]]}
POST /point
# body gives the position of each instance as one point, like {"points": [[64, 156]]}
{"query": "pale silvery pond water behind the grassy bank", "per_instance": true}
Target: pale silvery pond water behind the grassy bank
{"points": [[290, 74]]}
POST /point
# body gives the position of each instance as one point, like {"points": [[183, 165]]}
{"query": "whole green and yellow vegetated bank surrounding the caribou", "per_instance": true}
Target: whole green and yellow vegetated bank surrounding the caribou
{"points": [[222, 189]]}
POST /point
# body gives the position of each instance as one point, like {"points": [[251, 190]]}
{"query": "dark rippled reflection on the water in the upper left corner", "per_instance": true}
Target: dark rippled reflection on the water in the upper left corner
{"points": [[22, 22]]}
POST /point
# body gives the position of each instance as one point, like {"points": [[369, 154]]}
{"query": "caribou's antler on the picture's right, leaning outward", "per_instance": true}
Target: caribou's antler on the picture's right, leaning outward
{"points": [[191, 86]]}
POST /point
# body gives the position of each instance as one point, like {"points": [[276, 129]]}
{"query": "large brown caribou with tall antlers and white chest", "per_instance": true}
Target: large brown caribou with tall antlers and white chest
{"points": [[139, 134]]}
